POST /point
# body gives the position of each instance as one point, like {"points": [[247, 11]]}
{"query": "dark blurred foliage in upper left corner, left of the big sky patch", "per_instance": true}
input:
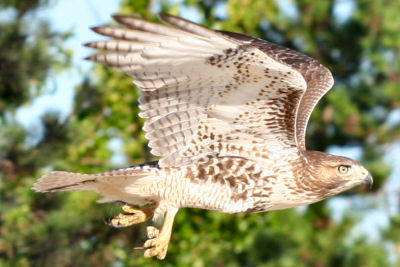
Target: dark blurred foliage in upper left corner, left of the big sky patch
{"points": [[29, 52]]}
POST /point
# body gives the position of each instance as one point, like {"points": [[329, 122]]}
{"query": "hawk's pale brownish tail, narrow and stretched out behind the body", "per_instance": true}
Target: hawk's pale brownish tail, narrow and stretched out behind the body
{"points": [[118, 185]]}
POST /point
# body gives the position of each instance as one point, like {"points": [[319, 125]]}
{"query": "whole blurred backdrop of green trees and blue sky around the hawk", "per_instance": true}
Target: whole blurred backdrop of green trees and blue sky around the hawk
{"points": [[58, 112]]}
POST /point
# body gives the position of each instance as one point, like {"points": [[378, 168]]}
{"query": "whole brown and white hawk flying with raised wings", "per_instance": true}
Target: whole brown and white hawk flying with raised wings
{"points": [[226, 113]]}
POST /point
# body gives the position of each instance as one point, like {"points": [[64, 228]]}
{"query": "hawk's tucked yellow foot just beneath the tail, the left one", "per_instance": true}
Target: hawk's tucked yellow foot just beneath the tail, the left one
{"points": [[132, 215]]}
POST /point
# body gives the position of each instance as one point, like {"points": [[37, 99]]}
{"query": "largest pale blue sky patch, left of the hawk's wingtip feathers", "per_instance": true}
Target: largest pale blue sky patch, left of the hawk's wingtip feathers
{"points": [[65, 15]]}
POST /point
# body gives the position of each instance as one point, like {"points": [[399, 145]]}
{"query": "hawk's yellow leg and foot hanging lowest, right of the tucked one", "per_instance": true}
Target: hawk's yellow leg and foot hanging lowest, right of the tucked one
{"points": [[157, 244]]}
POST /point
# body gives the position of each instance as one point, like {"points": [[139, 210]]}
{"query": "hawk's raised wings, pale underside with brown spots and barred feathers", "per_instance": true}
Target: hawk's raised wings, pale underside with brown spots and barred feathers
{"points": [[205, 92]]}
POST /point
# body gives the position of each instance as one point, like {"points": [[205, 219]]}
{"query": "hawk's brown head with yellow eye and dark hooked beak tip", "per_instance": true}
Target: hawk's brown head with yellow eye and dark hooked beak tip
{"points": [[331, 174]]}
